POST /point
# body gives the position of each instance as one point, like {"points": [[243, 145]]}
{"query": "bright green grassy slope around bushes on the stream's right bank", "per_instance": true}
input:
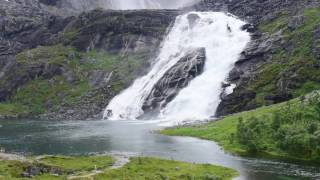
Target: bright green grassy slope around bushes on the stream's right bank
{"points": [[224, 132]]}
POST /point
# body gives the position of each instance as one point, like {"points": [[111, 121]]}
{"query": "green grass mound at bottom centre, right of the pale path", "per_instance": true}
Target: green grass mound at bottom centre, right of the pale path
{"points": [[152, 168]]}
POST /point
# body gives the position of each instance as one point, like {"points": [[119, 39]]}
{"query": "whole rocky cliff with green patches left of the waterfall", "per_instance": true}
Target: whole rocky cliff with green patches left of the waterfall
{"points": [[81, 61]]}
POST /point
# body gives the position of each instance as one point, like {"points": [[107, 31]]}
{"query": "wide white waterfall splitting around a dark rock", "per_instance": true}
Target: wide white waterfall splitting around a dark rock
{"points": [[223, 39]]}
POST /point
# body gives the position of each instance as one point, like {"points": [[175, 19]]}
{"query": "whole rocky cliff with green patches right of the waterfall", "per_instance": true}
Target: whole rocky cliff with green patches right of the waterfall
{"points": [[274, 66]]}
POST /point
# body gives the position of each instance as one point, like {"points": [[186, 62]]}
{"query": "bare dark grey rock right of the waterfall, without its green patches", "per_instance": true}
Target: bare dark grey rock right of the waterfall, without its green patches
{"points": [[262, 47]]}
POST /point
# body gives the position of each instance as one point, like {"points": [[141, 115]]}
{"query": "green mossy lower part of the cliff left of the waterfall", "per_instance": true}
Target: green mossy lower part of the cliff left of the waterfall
{"points": [[60, 82]]}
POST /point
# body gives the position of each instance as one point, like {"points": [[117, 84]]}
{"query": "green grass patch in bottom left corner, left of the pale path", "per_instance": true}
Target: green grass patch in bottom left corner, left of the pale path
{"points": [[11, 170]]}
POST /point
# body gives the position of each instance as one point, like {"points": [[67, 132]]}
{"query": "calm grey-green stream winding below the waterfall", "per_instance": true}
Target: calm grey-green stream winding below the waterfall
{"points": [[39, 137]]}
